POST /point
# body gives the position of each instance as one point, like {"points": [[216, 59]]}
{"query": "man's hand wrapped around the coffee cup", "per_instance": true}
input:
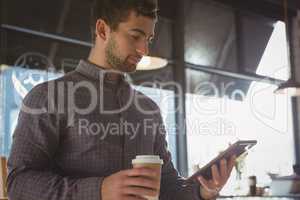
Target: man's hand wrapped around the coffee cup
{"points": [[130, 184]]}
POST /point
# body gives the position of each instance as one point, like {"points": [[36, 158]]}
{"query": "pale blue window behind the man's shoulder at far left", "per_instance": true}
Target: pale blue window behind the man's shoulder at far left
{"points": [[16, 83]]}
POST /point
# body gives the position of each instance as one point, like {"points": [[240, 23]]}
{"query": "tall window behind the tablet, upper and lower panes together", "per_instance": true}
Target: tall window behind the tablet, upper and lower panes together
{"points": [[221, 110]]}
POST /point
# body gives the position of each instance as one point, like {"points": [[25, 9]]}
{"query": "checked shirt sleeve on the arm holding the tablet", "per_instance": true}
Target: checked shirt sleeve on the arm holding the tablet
{"points": [[173, 186]]}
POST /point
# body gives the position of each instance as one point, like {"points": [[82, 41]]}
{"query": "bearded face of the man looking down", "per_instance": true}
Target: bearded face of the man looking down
{"points": [[126, 46]]}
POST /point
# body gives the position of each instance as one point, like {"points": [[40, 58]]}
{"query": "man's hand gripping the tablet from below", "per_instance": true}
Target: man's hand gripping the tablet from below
{"points": [[210, 188]]}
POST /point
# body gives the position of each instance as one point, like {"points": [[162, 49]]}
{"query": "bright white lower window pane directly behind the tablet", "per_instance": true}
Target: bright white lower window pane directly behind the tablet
{"points": [[213, 123]]}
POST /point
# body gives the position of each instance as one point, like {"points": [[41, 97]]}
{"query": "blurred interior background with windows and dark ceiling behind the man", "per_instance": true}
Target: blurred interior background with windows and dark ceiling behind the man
{"points": [[228, 56]]}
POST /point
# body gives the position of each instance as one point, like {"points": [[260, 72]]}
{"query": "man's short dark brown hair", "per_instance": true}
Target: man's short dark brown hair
{"points": [[113, 12]]}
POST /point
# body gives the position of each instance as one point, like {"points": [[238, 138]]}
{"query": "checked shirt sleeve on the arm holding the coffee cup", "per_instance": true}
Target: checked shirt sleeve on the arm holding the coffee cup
{"points": [[35, 140]]}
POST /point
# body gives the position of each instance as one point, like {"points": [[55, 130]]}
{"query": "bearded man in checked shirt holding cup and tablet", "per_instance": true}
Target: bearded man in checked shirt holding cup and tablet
{"points": [[70, 142]]}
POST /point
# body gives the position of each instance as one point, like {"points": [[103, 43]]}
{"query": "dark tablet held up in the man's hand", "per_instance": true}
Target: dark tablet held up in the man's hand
{"points": [[239, 148]]}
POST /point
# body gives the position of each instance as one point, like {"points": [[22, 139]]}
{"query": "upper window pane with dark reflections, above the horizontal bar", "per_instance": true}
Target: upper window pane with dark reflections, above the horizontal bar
{"points": [[217, 36]]}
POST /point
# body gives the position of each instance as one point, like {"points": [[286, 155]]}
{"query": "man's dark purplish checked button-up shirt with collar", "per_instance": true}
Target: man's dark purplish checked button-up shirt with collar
{"points": [[68, 140]]}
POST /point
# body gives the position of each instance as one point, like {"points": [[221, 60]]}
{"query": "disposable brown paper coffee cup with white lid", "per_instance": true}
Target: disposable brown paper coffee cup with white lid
{"points": [[153, 162]]}
